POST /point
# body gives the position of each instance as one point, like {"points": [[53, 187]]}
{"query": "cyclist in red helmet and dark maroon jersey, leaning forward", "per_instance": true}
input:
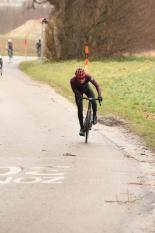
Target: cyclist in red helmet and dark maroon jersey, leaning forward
{"points": [[80, 85]]}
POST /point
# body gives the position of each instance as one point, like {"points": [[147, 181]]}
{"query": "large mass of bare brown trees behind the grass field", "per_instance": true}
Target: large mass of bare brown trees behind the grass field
{"points": [[109, 27]]}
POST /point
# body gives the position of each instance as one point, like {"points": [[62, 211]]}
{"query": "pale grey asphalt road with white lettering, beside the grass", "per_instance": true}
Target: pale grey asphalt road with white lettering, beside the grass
{"points": [[50, 180]]}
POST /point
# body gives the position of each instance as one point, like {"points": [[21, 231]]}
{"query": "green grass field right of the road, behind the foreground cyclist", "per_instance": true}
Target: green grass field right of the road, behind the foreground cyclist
{"points": [[128, 86]]}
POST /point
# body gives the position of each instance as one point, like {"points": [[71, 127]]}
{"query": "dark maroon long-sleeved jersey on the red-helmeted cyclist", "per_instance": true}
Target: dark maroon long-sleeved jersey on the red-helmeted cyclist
{"points": [[79, 88]]}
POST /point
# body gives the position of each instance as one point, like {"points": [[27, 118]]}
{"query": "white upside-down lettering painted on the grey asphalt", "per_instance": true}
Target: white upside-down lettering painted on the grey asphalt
{"points": [[32, 175]]}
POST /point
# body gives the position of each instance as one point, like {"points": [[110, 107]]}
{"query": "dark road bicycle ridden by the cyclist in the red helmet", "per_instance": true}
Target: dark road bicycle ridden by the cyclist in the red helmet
{"points": [[88, 122]]}
